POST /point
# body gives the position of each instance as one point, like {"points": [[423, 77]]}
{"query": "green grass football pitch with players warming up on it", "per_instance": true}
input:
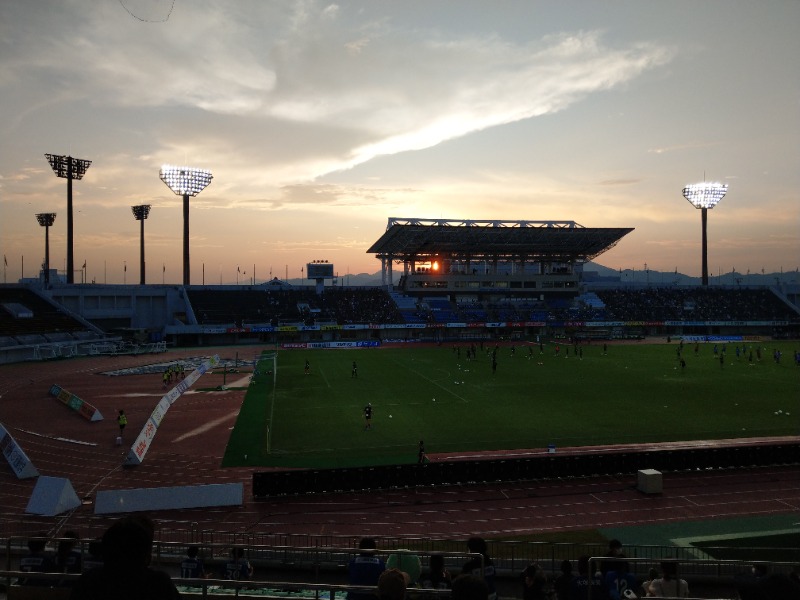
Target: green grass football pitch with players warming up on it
{"points": [[633, 393]]}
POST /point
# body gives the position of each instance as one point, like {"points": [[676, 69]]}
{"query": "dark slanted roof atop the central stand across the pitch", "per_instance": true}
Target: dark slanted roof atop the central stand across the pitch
{"points": [[407, 239]]}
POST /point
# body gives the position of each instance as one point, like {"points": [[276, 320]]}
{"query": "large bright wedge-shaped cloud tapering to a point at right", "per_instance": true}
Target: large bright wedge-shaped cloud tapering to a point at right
{"points": [[307, 88]]}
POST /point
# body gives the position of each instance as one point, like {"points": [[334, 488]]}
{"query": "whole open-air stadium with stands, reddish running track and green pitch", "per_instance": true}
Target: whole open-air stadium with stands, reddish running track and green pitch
{"points": [[533, 443]]}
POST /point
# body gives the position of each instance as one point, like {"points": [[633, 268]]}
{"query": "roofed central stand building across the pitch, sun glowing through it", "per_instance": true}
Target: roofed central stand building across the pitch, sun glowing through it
{"points": [[478, 261]]}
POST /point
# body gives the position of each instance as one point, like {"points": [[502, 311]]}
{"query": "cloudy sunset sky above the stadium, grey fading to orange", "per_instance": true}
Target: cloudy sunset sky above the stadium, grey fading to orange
{"points": [[321, 120]]}
